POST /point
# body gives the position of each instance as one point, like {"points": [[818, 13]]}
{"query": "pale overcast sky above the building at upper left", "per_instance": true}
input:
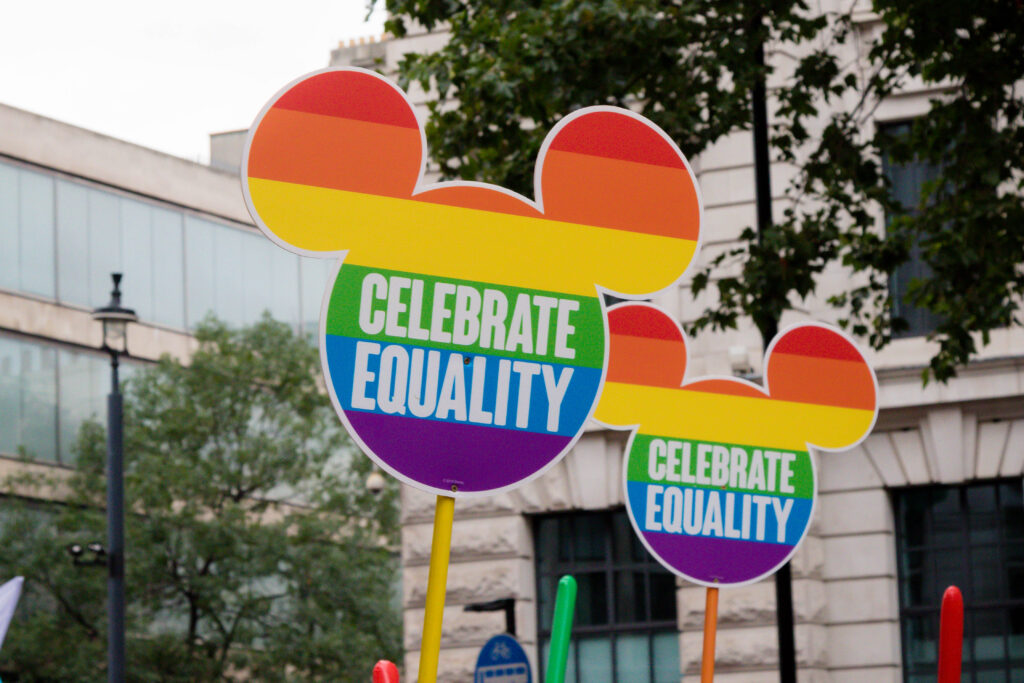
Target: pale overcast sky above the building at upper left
{"points": [[166, 74]]}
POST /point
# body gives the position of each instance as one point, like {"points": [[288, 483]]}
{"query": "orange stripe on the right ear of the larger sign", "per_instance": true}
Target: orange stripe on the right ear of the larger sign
{"points": [[622, 195]]}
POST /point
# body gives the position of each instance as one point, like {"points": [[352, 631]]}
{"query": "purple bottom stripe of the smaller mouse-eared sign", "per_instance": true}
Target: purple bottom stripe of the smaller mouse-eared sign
{"points": [[729, 562]]}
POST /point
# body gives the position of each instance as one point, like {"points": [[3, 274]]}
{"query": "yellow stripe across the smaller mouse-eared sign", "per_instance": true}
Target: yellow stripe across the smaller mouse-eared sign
{"points": [[729, 419]]}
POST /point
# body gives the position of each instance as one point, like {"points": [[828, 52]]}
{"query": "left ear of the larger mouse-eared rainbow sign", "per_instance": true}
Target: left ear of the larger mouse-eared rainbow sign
{"points": [[348, 131]]}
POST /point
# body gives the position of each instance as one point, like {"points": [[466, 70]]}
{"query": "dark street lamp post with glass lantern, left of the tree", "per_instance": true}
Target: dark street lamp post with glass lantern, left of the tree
{"points": [[115, 319]]}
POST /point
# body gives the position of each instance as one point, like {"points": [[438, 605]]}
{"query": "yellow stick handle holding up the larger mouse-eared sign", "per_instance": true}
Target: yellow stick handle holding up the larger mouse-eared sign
{"points": [[441, 549]]}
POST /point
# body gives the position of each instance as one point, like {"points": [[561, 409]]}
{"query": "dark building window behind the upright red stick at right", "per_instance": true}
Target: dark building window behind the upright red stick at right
{"points": [[971, 537]]}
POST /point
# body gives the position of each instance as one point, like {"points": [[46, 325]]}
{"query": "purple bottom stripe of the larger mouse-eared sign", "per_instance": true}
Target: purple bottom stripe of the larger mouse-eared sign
{"points": [[442, 454]]}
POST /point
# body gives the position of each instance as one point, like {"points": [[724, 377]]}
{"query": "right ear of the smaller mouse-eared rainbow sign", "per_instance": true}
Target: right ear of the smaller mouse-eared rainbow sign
{"points": [[819, 366]]}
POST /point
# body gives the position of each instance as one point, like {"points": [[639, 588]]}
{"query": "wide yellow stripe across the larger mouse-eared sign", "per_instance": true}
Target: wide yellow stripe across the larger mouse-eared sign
{"points": [[468, 244]]}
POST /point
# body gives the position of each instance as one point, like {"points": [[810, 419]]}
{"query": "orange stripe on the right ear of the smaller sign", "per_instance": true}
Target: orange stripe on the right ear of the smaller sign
{"points": [[824, 381]]}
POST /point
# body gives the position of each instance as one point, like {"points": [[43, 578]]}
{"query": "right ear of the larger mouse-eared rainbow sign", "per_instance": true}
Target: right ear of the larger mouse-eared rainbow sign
{"points": [[616, 172]]}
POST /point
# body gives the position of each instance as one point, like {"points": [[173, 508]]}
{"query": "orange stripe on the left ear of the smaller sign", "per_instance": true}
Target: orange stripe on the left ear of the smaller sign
{"points": [[646, 361]]}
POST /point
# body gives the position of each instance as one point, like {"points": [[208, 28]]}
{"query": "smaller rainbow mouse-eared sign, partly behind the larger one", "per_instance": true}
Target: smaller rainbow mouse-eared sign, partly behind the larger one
{"points": [[719, 477]]}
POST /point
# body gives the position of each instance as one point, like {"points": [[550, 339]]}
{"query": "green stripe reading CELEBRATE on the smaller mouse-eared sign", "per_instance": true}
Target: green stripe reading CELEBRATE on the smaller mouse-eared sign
{"points": [[679, 461]]}
